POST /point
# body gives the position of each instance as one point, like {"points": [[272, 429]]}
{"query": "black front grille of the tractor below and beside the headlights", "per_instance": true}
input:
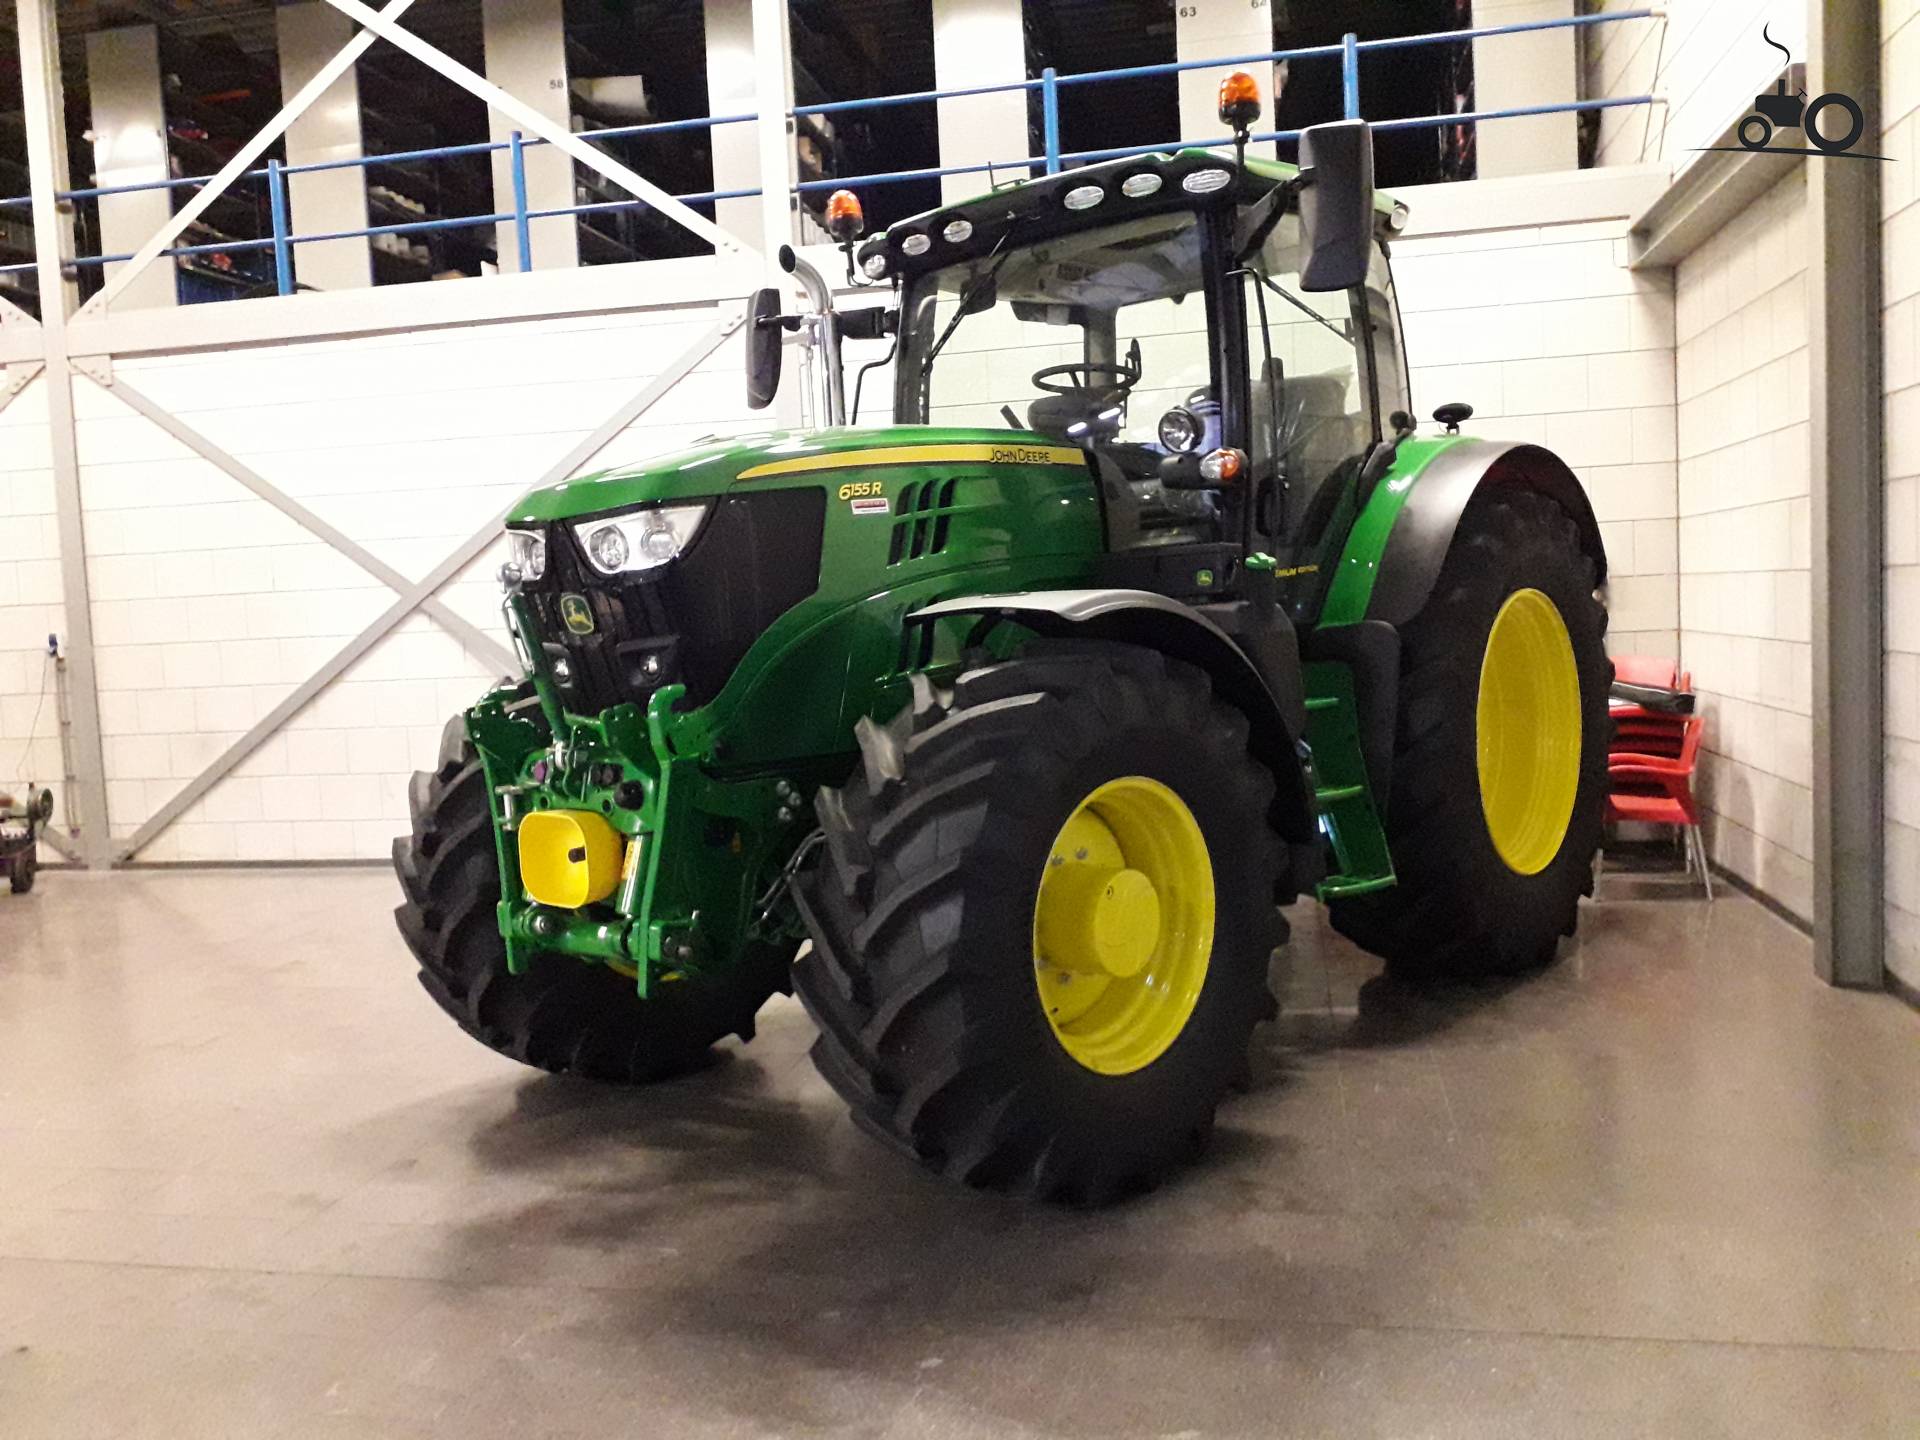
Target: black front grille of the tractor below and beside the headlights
{"points": [[690, 621]]}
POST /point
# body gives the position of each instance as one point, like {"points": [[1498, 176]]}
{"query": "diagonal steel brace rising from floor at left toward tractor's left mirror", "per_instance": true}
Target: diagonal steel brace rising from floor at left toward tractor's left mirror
{"points": [[418, 594]]}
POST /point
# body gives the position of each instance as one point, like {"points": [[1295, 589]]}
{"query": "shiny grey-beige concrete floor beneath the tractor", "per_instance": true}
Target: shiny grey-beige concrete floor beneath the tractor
{"points": [[254, 1186]]}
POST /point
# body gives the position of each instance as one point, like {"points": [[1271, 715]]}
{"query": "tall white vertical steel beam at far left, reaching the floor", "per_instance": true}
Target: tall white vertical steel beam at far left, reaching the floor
{"points": [[47, 164]]}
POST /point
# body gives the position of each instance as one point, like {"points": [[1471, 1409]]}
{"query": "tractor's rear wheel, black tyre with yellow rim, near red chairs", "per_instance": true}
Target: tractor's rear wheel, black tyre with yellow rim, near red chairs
{"points": [[1470, 903]]}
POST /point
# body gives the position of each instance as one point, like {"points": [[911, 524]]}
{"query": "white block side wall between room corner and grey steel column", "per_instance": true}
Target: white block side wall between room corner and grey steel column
{"points": [[1744, 539]]}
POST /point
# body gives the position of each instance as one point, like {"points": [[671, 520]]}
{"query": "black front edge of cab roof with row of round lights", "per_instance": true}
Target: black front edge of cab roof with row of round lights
{"points": [[1082, 199]]}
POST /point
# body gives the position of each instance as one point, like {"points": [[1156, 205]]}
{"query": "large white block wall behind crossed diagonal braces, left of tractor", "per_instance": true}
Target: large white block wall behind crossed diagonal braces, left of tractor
{"points": [[210, 606]]}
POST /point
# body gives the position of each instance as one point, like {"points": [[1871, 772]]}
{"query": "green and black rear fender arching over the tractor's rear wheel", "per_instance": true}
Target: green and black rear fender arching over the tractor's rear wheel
{"points": [[1401, 540]]}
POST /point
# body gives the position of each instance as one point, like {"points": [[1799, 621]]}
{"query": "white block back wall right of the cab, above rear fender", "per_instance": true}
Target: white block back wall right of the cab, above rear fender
{"points": [[1554, 341]]}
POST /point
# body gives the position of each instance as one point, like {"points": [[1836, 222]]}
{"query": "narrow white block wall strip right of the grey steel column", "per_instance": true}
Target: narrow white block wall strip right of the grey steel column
{"points": [[1902, 297]]}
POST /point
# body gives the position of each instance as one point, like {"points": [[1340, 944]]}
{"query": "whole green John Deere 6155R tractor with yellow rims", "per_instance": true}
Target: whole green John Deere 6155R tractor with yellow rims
{"points": [[1003, 732]]}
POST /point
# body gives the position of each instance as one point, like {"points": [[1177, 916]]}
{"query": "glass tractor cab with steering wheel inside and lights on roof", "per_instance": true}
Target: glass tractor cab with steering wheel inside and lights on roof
{"points": [[1180, 320]]}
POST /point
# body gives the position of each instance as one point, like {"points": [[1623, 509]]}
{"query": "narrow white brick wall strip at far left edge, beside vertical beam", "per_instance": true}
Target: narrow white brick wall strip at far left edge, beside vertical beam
{"points": [[30, 598]]}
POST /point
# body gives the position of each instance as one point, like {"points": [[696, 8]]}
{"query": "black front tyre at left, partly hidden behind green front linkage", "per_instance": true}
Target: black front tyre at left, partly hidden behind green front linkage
{"points": [[560, 1015]]}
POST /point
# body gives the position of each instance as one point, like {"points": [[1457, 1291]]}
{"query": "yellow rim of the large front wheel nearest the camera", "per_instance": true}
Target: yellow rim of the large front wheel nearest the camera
{"points": [[1124, 926]]}
